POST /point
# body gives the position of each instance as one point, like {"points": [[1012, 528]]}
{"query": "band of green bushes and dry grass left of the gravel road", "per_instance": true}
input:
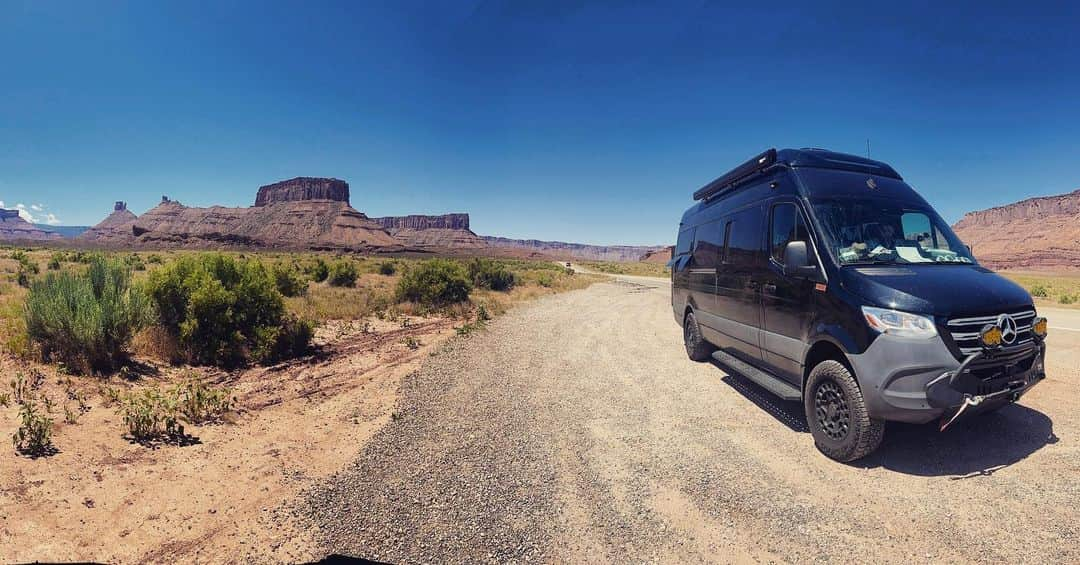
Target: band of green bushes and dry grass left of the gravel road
{"points": [[89, 329]]}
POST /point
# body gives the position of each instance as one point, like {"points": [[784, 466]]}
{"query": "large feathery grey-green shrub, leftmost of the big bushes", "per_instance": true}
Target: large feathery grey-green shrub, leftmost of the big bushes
{"points": [[86, 320]]}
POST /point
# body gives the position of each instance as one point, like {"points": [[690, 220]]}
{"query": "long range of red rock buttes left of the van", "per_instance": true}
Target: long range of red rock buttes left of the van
{"points": [[316, 213]]}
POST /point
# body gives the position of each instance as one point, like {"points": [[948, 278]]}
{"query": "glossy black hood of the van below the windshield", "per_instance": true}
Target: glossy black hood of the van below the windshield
{"points": [[936, 290]]}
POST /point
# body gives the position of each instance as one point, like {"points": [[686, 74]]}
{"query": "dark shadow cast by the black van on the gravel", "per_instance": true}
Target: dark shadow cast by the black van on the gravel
{"points": [[977, 447]]}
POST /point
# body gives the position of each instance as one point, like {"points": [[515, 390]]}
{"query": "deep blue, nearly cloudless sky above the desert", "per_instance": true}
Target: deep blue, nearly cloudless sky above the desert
{"points": [[576, 122]]}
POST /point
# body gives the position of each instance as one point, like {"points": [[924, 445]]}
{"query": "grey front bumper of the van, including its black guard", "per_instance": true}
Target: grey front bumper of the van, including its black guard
{"points": [[919, 381]]}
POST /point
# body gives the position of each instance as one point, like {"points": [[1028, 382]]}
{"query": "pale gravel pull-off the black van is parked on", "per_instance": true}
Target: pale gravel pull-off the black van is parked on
{"points": [[575, 429]]}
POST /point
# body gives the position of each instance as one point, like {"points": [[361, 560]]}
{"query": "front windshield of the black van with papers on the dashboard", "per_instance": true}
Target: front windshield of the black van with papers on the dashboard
{"points": [[869, 232]]}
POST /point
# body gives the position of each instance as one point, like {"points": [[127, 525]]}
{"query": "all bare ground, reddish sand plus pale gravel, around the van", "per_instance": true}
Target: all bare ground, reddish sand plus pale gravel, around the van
{"points": [[573, 429]]}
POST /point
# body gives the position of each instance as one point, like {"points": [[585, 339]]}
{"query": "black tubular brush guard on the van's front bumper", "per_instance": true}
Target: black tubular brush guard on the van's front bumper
{"points": [[946, 392]]}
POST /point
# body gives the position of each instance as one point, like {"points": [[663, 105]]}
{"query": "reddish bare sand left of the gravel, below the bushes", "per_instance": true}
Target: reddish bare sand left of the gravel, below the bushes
{"points": [[225, 499]]}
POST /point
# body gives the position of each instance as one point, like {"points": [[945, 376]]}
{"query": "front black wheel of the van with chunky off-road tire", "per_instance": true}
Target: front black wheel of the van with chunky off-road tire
{"points": [[838, 416]]}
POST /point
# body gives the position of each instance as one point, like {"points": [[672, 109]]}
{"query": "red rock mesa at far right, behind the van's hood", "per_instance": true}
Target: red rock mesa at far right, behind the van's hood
{"points": [[1033, 234]]}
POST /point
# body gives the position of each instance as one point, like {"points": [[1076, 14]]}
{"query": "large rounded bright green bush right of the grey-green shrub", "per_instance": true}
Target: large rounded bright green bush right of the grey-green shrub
{"points": [[220, 310]]}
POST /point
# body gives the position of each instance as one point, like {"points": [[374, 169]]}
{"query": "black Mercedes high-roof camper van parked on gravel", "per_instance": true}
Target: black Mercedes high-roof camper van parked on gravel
{"points": [[826, 279]]}
